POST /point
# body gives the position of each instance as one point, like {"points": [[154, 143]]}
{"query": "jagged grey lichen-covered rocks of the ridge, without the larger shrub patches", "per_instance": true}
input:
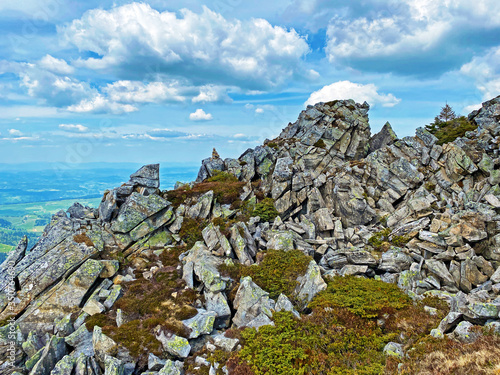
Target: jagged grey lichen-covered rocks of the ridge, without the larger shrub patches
{"points": [[405, 211]]}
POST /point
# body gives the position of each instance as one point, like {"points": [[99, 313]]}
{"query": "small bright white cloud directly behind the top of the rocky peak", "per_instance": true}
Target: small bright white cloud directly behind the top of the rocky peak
{"points": [[349, 90]]}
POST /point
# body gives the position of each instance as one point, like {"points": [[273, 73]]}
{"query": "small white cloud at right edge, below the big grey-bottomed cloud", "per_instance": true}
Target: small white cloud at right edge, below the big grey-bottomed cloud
{"points": [[485, 70]]}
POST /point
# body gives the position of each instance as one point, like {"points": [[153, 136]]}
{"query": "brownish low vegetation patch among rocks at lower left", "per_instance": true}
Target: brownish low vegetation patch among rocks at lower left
{"points": [[162, 301]]}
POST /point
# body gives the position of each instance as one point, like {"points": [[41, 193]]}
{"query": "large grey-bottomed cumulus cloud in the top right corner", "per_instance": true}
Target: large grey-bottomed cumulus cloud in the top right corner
{"points": [[404, 35]]}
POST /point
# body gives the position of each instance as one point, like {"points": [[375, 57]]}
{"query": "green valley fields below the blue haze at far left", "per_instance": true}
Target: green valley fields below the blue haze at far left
{"points": [[18, 220]]}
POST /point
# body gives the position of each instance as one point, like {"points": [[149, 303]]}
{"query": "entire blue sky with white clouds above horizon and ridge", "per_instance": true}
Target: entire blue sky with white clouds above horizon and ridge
{"points": [[165, 81]]}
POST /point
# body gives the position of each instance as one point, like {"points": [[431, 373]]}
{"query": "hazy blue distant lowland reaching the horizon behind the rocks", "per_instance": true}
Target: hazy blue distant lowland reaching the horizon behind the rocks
{"points": [[31, 193]]}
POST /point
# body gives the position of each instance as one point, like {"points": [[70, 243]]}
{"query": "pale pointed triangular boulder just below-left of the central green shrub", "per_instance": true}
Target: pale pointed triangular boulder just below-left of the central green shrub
{"points": [[250, 301]]}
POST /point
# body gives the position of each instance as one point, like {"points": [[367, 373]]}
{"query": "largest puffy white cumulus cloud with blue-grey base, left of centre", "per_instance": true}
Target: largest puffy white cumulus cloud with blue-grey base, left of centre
{"points": [[205, 47]]}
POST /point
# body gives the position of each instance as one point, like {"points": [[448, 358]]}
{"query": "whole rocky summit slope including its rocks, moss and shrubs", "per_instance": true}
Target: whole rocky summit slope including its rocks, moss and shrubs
{"points": [[327, 250]]}
